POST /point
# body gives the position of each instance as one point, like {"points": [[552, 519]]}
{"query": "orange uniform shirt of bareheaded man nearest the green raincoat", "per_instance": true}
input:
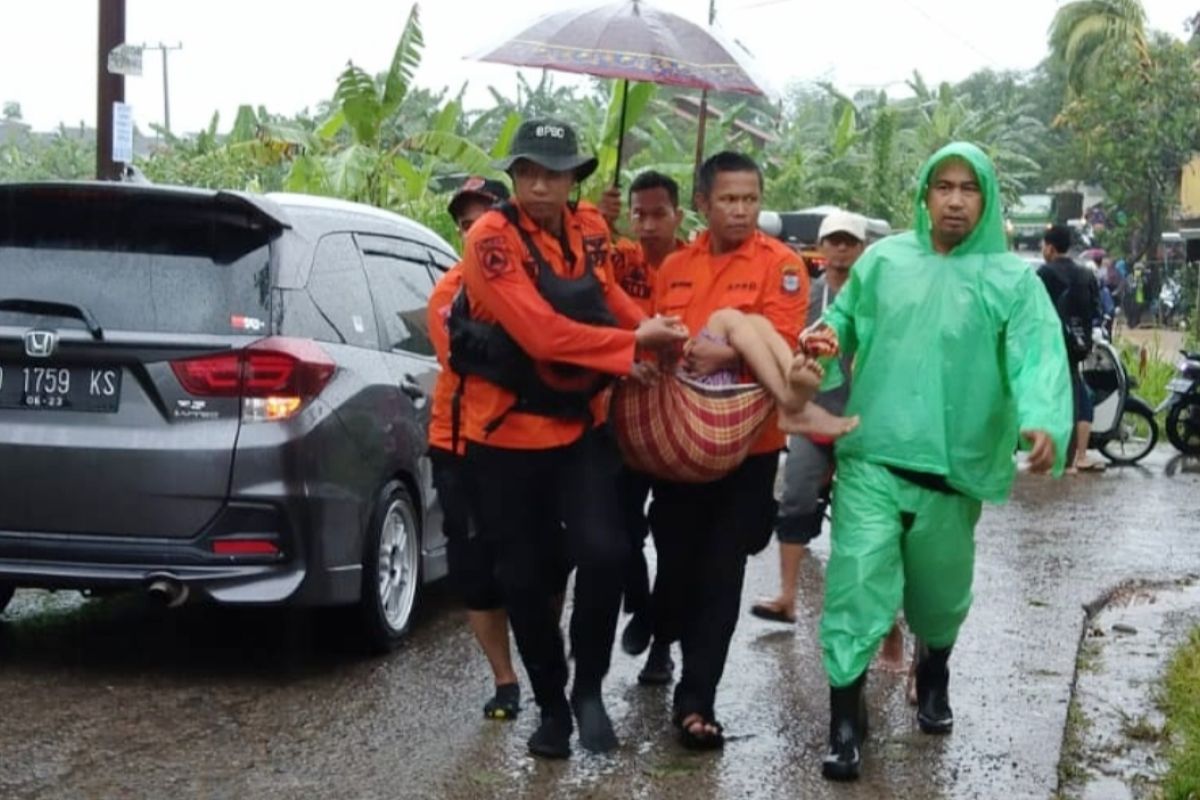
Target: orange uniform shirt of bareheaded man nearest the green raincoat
{"points": [[764, 276]]}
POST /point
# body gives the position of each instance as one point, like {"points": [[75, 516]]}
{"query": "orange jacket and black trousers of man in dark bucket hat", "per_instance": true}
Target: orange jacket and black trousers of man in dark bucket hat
{"points": [[524, 466]]}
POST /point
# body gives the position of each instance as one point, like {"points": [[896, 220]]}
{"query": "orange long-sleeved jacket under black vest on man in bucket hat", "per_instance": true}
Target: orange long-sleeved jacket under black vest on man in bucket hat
{"points": [[497, 273]]}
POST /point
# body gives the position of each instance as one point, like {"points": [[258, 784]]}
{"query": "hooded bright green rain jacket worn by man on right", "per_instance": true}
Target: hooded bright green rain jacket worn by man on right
{"points": [[953, 354]]}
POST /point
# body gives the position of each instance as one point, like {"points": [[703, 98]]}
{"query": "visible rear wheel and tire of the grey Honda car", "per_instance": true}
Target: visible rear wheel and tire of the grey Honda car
{"points": [[392, 570]]}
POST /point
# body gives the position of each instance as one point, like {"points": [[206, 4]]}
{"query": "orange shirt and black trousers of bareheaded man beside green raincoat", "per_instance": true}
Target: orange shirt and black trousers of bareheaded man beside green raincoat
{"points": [[704, 533]]}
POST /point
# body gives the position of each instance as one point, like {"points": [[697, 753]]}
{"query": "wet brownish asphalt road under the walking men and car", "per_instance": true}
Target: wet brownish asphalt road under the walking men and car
{"points": [[116, 699]]}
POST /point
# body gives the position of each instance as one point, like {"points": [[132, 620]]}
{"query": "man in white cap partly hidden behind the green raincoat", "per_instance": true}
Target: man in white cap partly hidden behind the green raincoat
{"points": [[811, 461]]}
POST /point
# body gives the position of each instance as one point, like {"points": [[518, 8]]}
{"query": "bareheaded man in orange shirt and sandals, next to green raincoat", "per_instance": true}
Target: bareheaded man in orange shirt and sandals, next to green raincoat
{"points": [[705, 532]]}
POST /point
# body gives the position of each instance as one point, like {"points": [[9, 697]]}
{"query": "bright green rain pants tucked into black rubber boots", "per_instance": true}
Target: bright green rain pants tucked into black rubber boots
{"points": [[893, 542]]}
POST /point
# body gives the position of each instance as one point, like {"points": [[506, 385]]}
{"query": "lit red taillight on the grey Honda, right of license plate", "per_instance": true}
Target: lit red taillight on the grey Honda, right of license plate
{"points": [[274, 377]]}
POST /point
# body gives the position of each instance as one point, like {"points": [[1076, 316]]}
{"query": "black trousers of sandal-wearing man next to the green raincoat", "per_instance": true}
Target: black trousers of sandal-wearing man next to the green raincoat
{"points": [[704, 533]]}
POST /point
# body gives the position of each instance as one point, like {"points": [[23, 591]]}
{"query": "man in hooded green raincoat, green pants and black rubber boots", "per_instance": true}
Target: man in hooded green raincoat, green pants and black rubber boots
{"points": [[958, 359]]}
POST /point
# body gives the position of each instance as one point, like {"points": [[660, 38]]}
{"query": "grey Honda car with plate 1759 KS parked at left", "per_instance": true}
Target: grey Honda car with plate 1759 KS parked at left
{"points": [[218, 396]]}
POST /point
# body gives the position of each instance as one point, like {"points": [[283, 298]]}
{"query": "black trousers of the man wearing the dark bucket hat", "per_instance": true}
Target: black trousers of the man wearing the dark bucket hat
{"points": [[512, 491]]}
